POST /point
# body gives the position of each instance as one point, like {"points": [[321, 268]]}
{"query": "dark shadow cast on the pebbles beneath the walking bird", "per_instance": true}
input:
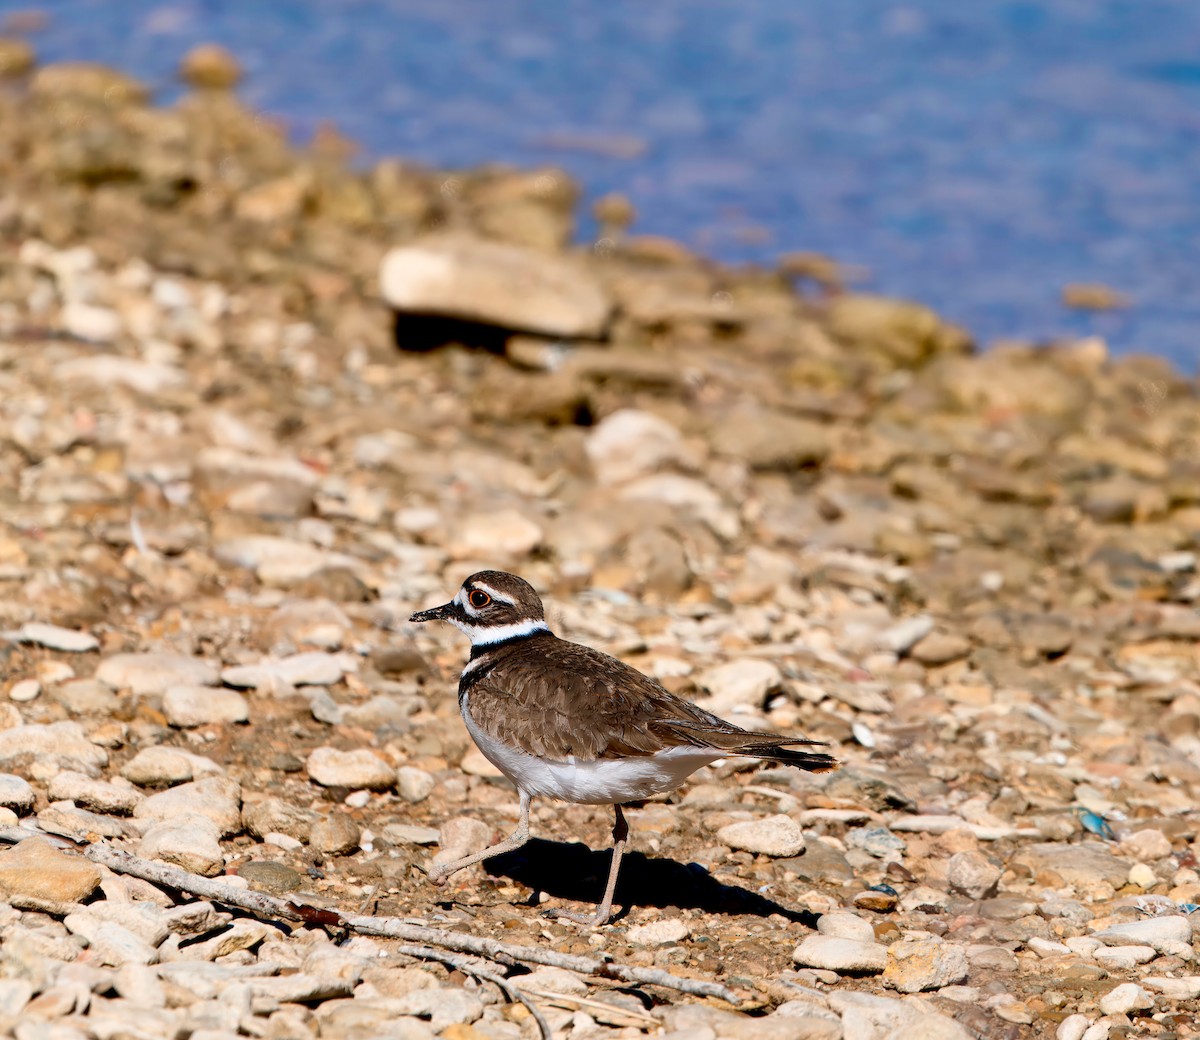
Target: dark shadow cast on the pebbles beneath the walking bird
{"points": [[573, 871]]}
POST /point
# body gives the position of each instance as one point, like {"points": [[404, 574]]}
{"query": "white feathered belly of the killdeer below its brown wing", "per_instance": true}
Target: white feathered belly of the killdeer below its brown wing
{"points": [[604, 781]]}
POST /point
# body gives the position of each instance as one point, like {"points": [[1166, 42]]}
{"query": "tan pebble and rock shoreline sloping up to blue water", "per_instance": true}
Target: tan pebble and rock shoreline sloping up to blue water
{"points": [[230, 471]]}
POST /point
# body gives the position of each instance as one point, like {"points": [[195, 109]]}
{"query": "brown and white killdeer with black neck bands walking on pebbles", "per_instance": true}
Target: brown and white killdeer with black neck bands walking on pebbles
{"points": [[565, 722]]}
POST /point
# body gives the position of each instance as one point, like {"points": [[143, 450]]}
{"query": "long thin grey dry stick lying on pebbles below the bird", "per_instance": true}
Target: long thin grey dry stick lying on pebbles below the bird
{"points": [[398, 928]]}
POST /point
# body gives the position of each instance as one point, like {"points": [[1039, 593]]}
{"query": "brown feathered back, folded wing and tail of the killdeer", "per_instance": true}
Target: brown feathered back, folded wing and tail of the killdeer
{"points": [[584, 704]]}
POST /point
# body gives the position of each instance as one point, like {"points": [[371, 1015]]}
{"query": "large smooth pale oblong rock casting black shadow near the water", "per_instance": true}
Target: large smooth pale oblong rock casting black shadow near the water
{"points": [[461, 276]]}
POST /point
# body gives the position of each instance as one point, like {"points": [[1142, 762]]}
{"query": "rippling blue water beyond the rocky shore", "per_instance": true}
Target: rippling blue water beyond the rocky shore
{"points": [[976, 155]]}
